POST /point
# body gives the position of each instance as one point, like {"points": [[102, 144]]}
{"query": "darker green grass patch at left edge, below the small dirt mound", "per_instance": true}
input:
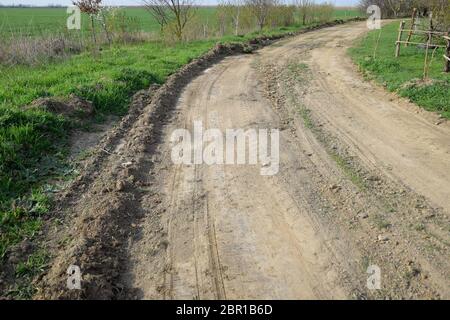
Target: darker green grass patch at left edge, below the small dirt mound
{"points": [[28, 154]]}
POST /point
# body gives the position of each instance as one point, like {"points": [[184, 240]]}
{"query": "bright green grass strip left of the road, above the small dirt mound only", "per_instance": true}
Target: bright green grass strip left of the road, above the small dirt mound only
{"points": [[107, 79]]}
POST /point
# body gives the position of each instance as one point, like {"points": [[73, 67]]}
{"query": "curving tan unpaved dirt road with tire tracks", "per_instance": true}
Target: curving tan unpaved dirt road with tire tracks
{"points": [[364, 180]]}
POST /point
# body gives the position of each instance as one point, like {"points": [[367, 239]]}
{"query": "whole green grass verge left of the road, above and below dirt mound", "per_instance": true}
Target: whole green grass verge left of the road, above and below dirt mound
{"points": [[32, 141]]}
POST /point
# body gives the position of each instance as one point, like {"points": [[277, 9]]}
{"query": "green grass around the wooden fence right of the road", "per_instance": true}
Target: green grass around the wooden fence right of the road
{"points": [[401, 74]]}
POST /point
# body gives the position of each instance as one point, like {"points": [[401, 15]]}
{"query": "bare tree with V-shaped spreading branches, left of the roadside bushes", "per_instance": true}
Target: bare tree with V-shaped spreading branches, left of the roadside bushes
{"points": [[174, 14]]}
